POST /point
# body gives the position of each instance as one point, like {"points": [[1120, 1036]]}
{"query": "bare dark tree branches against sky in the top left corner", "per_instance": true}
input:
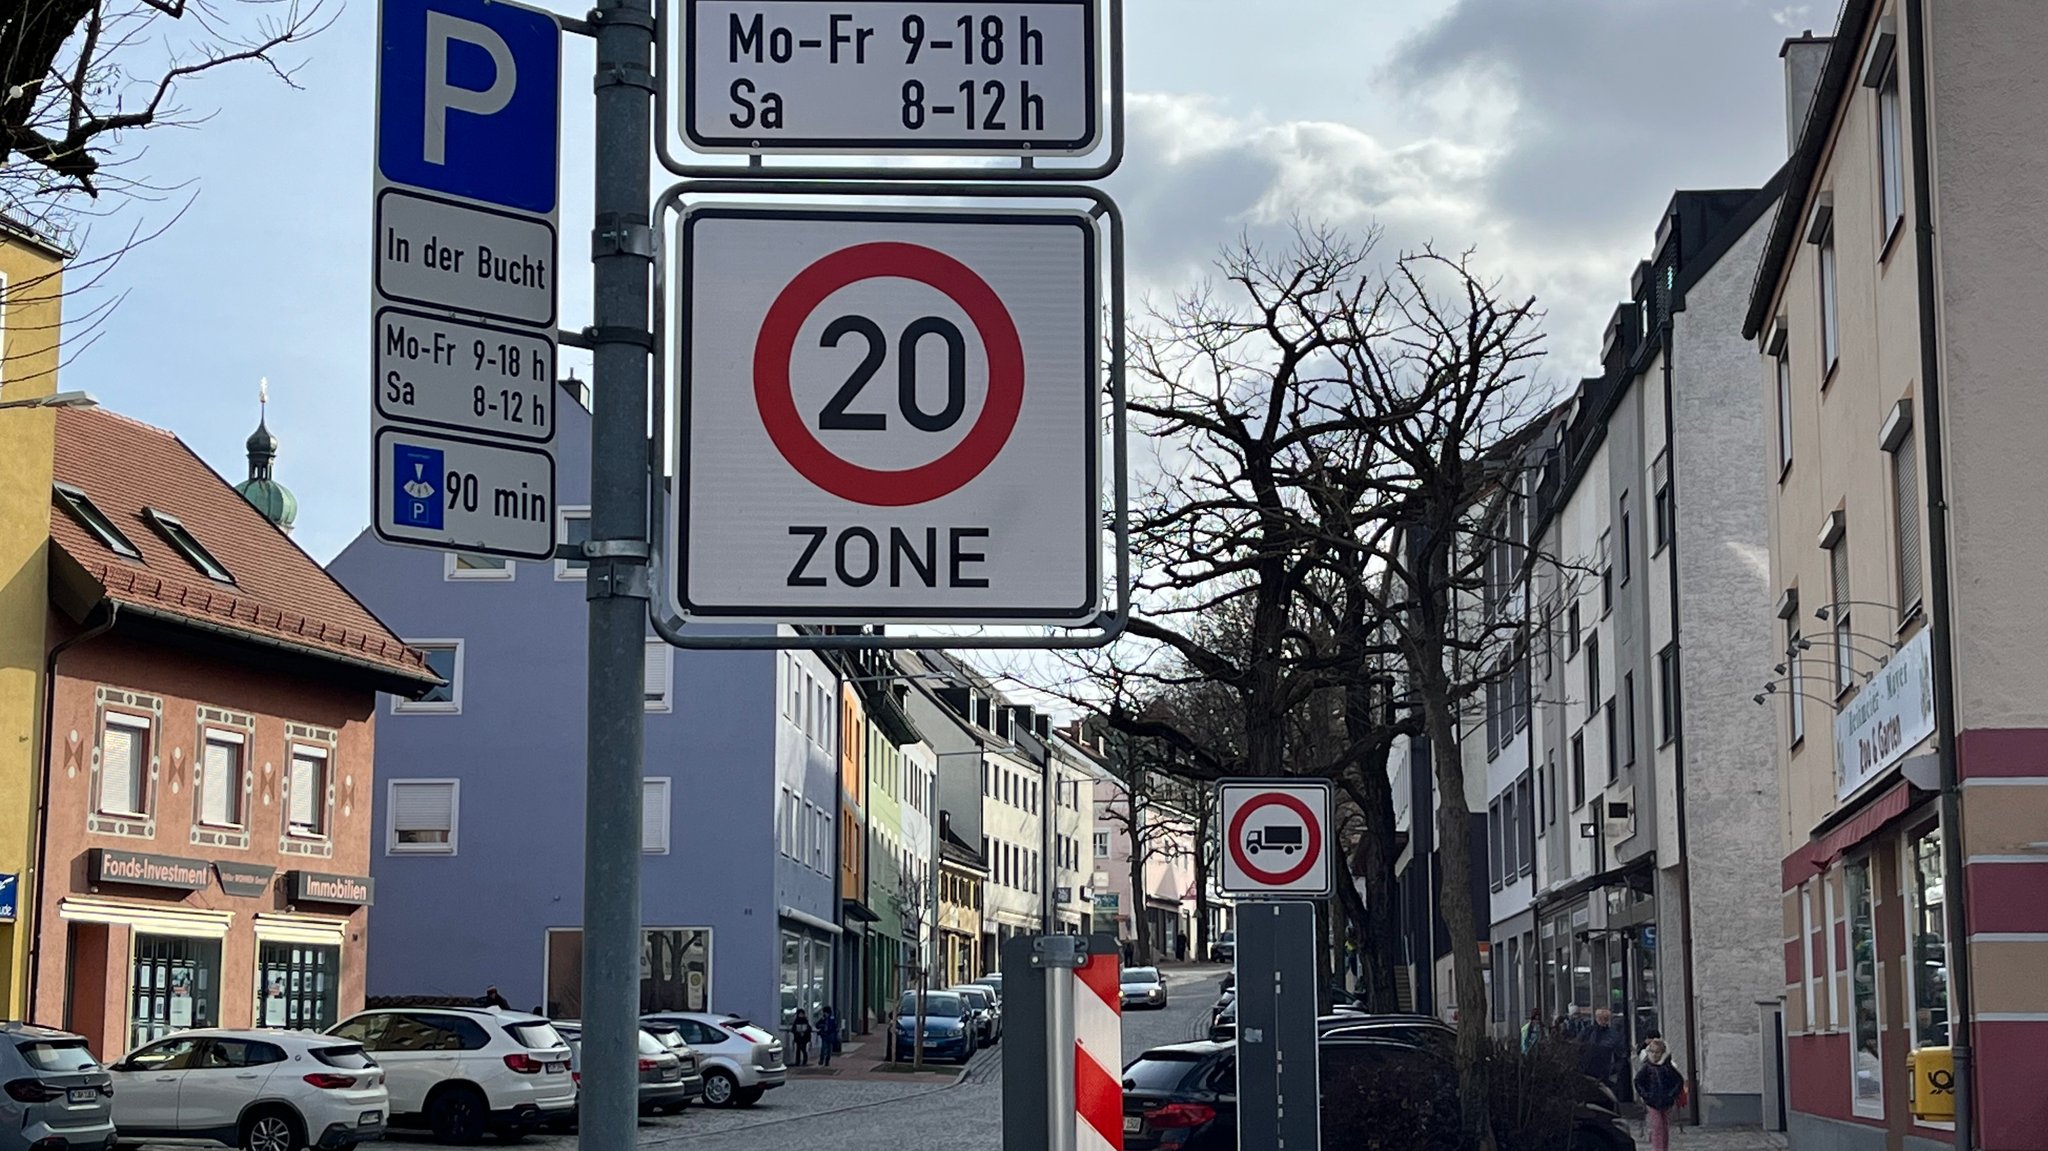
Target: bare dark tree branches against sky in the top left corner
{"points": [[77, 77]]}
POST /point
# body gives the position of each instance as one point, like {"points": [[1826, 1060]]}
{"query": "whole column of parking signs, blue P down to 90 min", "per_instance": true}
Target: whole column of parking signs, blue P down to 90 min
{"points": [[497, 177]]}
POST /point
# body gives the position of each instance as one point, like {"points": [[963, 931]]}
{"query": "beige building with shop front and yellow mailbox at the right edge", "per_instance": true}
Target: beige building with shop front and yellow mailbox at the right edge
{"points": [[1900, 318]]}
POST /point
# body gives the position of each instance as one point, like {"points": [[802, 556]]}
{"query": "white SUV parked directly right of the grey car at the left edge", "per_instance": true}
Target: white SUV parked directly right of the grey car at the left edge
{"points": [[263, 1091]]}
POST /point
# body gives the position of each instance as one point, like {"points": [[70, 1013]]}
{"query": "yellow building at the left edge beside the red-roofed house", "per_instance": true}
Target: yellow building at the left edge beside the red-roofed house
{"points": [[32, 294]]}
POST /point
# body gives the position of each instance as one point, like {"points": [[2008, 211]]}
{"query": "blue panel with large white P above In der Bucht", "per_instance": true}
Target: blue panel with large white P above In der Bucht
{"points": [[470, 101]]}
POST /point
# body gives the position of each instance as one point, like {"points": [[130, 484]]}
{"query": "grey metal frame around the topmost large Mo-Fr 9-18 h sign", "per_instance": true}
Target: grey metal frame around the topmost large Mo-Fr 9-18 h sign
{"points": [[746, 144]]}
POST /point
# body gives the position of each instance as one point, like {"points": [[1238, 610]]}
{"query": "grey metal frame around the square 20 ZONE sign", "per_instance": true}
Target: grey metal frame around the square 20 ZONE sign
{"points": [[679, 523]]}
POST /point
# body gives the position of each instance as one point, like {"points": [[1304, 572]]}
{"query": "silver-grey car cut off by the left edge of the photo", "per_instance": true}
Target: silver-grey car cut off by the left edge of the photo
{"points": [[54, 1095]]}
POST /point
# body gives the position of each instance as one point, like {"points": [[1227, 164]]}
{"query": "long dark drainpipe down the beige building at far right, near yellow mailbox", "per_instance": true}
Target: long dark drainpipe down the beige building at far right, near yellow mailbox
{"points": [[1940, 615]]}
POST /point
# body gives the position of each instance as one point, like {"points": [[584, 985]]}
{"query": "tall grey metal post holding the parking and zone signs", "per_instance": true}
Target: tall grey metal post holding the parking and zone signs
{"points": [[622, 257]]}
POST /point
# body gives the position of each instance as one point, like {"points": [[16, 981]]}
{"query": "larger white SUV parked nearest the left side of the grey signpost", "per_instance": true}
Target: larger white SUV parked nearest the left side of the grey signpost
{"points": [[468, 1070]]}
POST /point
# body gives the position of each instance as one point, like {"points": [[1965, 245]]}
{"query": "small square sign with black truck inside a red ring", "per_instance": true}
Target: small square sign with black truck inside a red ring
{"points": [[1277, 837]]}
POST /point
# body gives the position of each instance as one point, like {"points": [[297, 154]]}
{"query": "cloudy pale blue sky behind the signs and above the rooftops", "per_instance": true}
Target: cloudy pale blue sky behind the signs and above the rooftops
{"points": [[1545, 134]]}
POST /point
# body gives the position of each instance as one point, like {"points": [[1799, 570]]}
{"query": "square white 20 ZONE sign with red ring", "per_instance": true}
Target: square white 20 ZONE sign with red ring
{"points": [[888, 415]]}
